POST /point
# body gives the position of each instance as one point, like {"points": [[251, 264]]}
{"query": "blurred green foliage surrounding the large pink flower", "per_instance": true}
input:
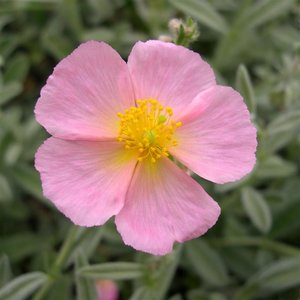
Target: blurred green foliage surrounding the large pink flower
{"points": [[254, 250]]}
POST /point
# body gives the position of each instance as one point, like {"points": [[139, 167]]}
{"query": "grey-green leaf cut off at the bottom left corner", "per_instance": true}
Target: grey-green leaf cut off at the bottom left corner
{"points": [[22, 286]]}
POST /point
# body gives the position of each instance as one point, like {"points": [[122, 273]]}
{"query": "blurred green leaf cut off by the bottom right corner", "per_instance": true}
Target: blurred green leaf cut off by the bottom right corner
{"points": [[278, 276]]}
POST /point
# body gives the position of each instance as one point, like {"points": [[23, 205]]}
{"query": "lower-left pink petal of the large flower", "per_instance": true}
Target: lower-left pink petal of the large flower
{"points": [[87, 181]]}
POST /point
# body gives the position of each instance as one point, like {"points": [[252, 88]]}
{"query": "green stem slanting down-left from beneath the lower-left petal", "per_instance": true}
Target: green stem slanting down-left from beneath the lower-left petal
{"points": [[58, 264]]}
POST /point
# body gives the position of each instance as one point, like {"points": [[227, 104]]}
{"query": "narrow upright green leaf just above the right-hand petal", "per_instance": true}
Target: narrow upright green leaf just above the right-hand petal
{"points": [[244, 86]]}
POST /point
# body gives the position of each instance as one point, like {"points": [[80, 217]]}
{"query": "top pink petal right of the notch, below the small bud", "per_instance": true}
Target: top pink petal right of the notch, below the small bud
{"points": [[171, 74]]}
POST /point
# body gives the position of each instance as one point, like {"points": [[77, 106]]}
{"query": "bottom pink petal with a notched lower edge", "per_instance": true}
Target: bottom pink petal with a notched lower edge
{"points": [[164, 205]]}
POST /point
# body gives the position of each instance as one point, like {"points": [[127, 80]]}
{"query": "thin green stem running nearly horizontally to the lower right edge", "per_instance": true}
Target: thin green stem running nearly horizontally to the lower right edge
{"points": [[256, 241]]}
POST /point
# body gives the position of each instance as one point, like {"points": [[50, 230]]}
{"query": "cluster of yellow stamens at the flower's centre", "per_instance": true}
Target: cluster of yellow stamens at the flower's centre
{"points": [[148, 129]]}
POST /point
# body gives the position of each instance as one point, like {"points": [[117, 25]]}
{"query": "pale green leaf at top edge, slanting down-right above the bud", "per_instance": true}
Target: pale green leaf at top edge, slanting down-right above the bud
{"points": [[203, 12]]}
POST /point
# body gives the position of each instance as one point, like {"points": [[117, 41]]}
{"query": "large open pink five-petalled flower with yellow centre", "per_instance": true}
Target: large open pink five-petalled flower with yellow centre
{"points": [[115, 126]]}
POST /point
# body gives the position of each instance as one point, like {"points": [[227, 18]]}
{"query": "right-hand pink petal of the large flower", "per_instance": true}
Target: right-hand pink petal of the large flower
{"points": [[217, 140]]}
